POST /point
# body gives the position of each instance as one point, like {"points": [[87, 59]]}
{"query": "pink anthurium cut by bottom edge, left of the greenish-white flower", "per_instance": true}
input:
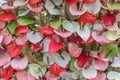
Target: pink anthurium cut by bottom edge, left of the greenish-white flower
{"points": [[23, 75]]}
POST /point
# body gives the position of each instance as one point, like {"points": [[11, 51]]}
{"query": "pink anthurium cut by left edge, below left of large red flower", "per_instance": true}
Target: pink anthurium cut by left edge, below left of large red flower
{"points": [[4, 59]]}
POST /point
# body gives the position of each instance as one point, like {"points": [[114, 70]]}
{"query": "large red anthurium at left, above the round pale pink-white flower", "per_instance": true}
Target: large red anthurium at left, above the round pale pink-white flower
{"points": [[14, 50]]}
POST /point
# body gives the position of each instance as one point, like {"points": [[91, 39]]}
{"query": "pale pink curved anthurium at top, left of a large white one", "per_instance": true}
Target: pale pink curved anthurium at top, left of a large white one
{"points": [[74, 10]]}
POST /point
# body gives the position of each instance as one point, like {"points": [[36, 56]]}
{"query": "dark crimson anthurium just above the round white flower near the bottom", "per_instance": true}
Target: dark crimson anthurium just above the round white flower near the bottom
{"points": [[83, 59]]}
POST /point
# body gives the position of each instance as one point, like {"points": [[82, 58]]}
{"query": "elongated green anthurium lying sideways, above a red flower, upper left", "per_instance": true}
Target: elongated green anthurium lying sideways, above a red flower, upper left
{"points": [[25, 21]]}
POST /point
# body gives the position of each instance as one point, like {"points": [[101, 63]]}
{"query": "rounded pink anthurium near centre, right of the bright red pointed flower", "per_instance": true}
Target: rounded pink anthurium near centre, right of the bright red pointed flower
{"points": [[74, 50]]}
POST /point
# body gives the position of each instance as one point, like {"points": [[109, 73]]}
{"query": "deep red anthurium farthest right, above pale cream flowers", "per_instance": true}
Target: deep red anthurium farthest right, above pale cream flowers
{"points": [[108, 20]]}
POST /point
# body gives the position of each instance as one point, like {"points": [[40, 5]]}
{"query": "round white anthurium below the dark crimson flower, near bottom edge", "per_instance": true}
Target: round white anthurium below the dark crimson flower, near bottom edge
{"points": [[89, 73]]}
